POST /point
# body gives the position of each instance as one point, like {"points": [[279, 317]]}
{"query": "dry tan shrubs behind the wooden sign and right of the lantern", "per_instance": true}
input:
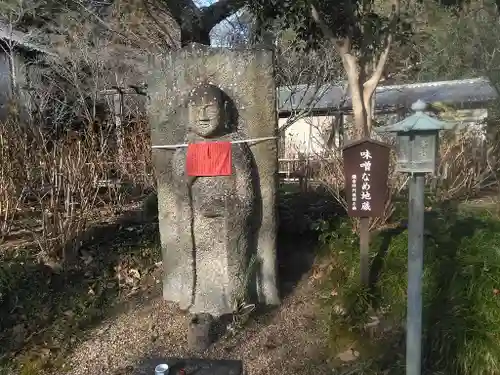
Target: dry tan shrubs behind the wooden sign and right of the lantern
{"points": [[467, 167]]}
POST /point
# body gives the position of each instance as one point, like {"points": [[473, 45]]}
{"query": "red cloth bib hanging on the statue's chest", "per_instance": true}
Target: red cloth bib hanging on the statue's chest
{"points": [[209, 159]]}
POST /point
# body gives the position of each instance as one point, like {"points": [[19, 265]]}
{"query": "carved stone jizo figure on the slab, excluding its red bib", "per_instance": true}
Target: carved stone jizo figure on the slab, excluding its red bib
{"points": [[214, 218]]}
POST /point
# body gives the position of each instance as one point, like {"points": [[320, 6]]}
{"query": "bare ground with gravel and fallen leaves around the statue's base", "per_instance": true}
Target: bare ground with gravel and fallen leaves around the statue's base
{"points": [[108, 316]]}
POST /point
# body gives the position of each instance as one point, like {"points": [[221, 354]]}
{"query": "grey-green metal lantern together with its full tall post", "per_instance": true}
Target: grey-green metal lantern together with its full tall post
{"points": [[417, 147]]}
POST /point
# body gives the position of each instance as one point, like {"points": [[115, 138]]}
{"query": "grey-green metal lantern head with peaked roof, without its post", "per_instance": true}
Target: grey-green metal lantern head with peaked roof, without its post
{"points": [[417, 141]]}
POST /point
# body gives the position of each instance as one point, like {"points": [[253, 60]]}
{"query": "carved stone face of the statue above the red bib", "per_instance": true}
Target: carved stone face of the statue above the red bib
{"points": [[206, 111]]}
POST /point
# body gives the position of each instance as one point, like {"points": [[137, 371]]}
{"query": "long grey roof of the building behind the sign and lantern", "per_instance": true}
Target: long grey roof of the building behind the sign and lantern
{"points": [[461, 93]]}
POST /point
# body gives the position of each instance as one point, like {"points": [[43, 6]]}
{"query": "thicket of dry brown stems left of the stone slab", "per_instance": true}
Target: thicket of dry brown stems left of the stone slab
{"points": [[50, 189]]}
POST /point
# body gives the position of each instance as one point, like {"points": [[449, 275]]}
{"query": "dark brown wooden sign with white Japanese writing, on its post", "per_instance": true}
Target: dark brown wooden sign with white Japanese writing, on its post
{"points": [[366, 169]]}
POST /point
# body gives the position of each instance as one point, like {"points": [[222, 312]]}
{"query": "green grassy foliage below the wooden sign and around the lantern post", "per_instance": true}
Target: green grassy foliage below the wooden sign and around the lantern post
{"points": [[461, 298]]}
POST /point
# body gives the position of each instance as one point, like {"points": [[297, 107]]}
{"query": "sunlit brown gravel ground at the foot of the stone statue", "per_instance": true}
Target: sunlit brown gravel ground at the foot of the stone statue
{"points": [[287, 340]]}
